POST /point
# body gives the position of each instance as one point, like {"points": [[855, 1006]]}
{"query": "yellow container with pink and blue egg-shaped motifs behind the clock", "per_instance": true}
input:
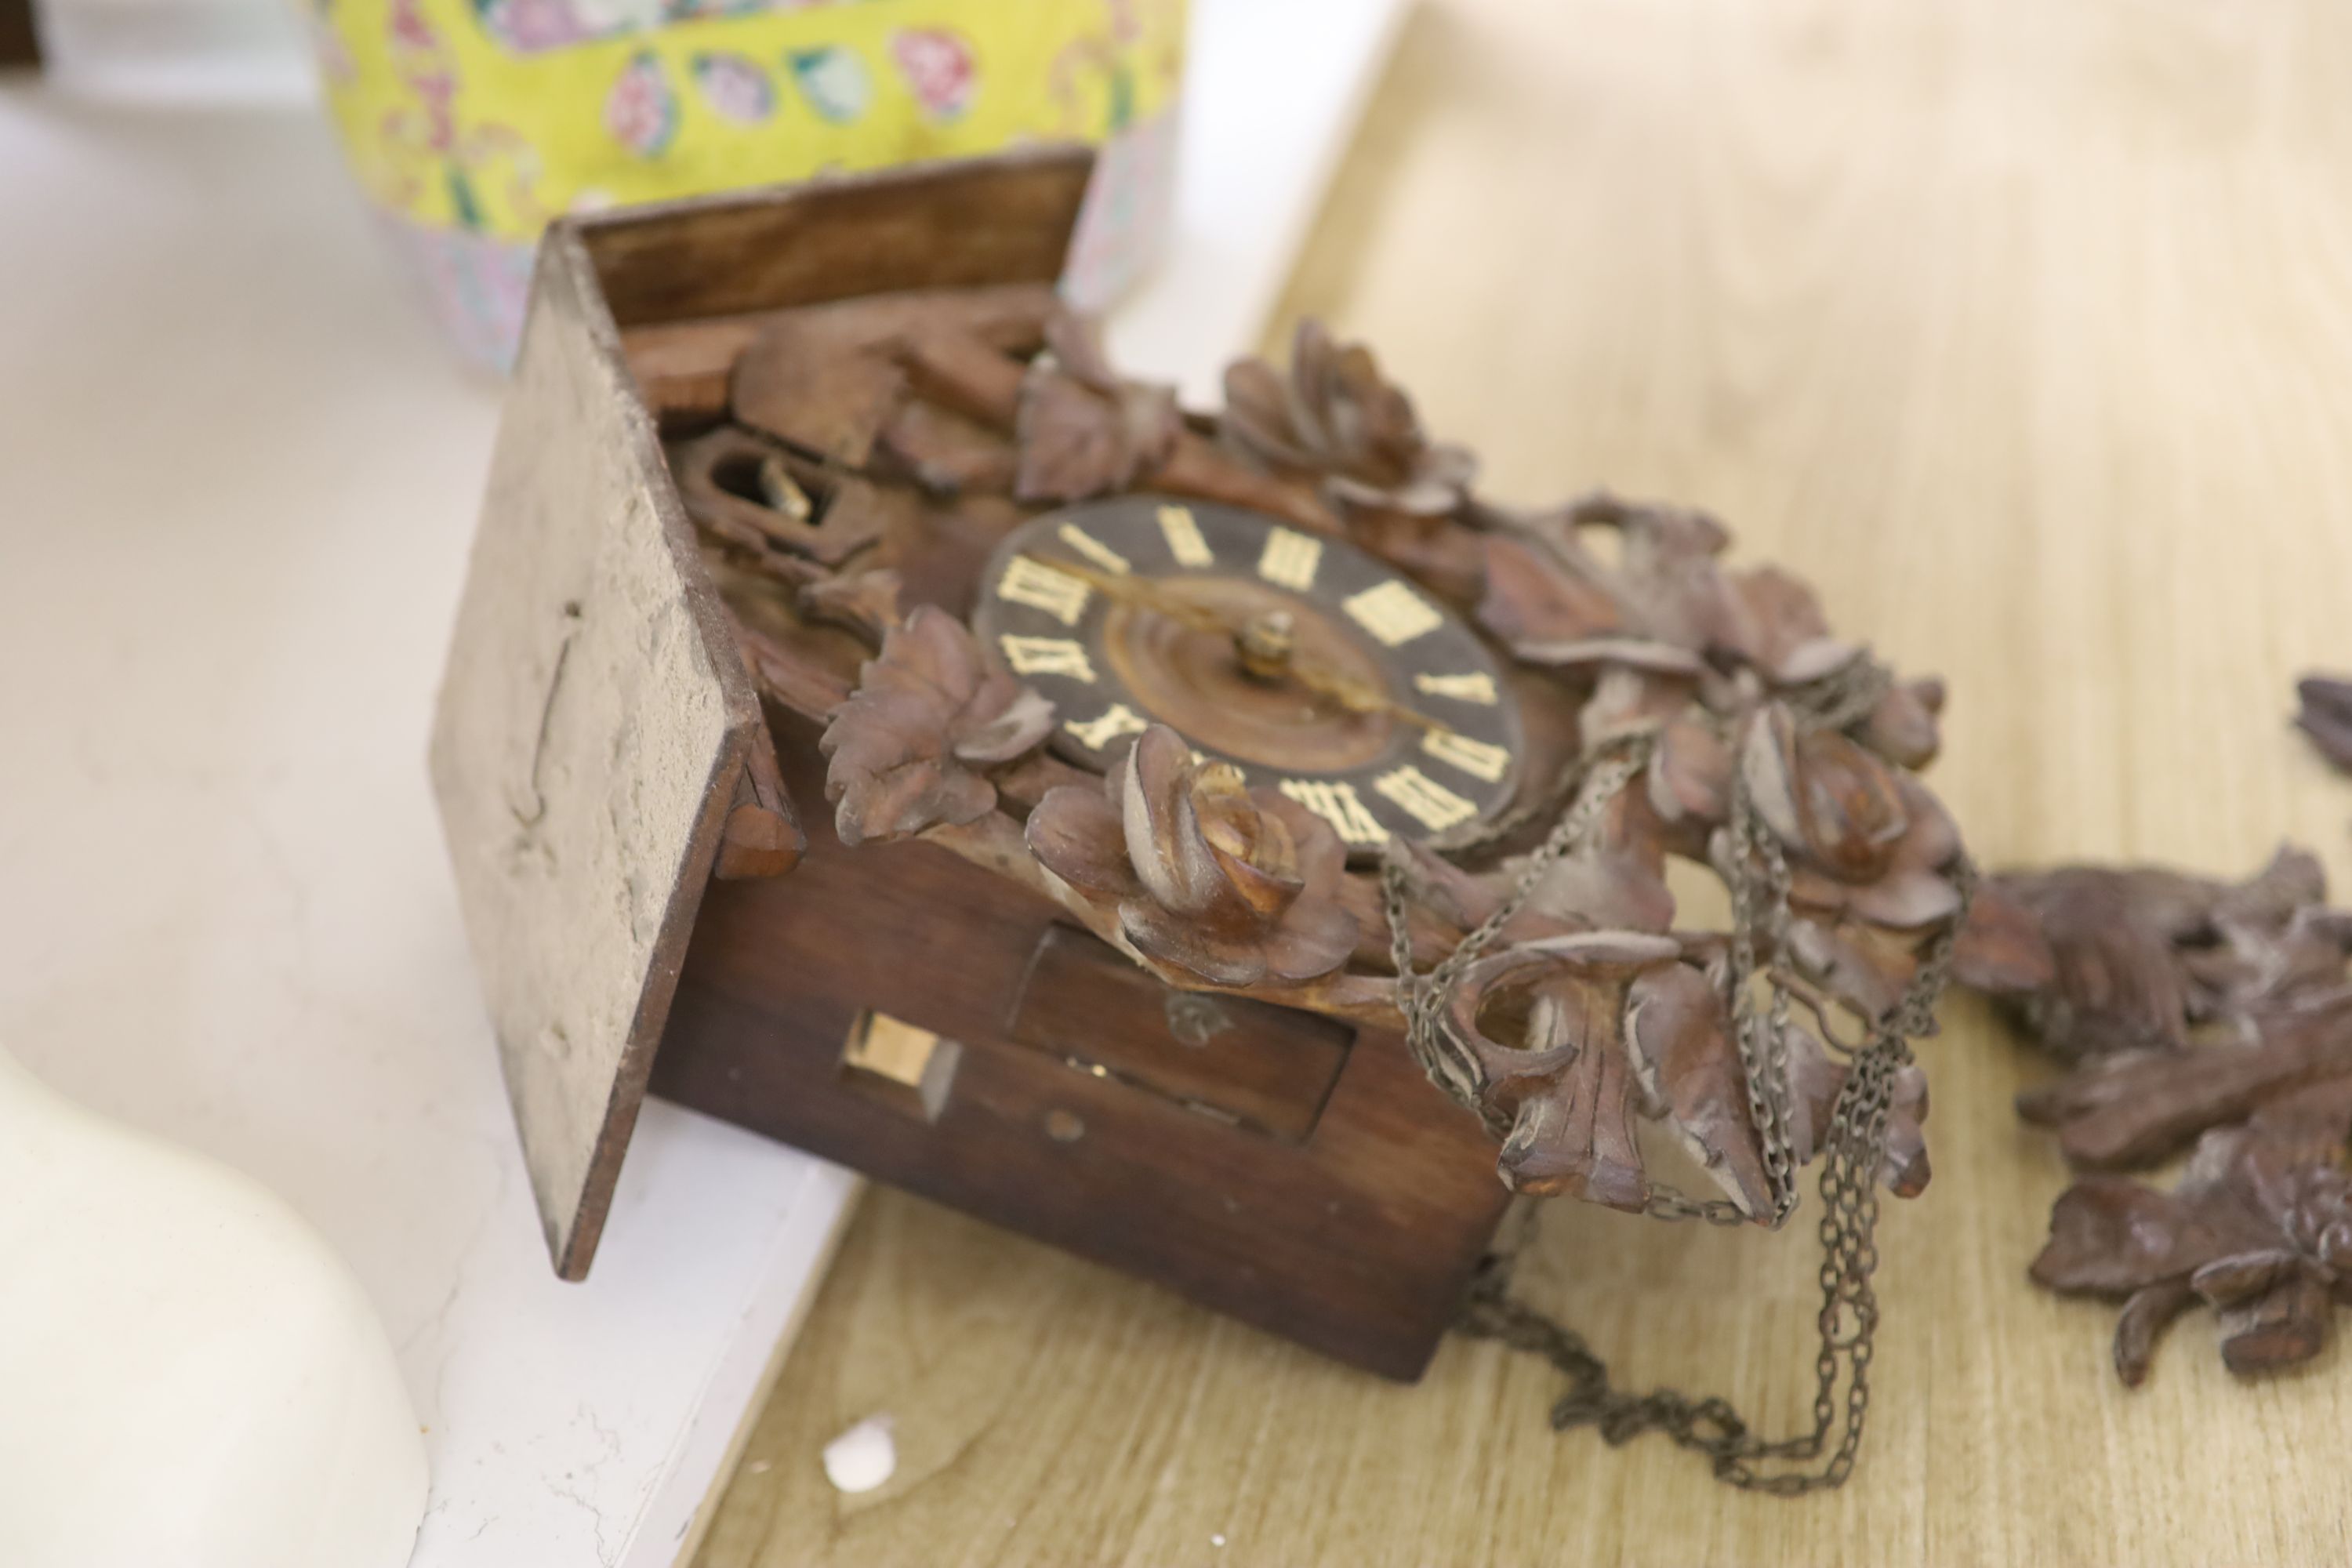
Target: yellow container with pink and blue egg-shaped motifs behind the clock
{"points": [[472, 123]]}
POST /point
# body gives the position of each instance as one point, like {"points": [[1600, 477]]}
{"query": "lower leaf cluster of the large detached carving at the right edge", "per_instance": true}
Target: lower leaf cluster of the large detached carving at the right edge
{"points": [[2259, 1228]]}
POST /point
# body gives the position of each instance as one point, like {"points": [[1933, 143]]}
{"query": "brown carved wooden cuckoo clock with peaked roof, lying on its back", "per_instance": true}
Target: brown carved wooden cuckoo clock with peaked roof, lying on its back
{"points": [[1222, 843]]}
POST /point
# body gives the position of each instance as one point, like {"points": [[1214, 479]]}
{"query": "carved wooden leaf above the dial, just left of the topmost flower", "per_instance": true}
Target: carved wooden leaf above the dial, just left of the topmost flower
{"points": [[1083, 431]]}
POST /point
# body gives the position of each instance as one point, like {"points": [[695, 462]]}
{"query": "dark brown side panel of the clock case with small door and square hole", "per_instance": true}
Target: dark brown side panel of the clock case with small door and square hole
{"points": [[1271, 1165]]}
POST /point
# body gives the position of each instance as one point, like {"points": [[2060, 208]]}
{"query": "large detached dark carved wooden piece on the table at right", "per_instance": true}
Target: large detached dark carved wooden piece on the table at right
{"points": [[2196, 1014]]}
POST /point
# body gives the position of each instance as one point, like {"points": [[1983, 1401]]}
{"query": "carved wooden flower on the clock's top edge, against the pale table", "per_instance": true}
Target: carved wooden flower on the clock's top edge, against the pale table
{"points": [[1335, 417]]}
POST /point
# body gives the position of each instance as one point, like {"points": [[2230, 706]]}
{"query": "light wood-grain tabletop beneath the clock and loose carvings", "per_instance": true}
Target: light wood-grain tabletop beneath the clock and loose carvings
{"points": [[2026, 333]]}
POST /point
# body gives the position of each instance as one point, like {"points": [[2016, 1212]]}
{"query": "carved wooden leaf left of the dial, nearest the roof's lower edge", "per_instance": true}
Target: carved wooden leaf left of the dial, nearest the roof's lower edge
{"points": [[914, 742]]}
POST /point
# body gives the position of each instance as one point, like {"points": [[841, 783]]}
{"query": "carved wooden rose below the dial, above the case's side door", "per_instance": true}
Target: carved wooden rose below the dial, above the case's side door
{"points": [[1208, 876]]}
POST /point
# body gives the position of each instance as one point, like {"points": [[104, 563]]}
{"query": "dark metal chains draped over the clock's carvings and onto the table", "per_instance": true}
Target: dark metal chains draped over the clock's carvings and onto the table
{"points": [[1852, 1155]]}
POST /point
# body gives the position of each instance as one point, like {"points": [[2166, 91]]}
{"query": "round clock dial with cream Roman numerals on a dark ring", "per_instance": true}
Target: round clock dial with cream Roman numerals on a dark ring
{"points": [[1295, 657]]}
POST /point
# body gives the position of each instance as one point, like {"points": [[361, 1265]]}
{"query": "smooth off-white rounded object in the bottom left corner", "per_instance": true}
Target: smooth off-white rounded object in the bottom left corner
{"points": [[189, 1379]]}
